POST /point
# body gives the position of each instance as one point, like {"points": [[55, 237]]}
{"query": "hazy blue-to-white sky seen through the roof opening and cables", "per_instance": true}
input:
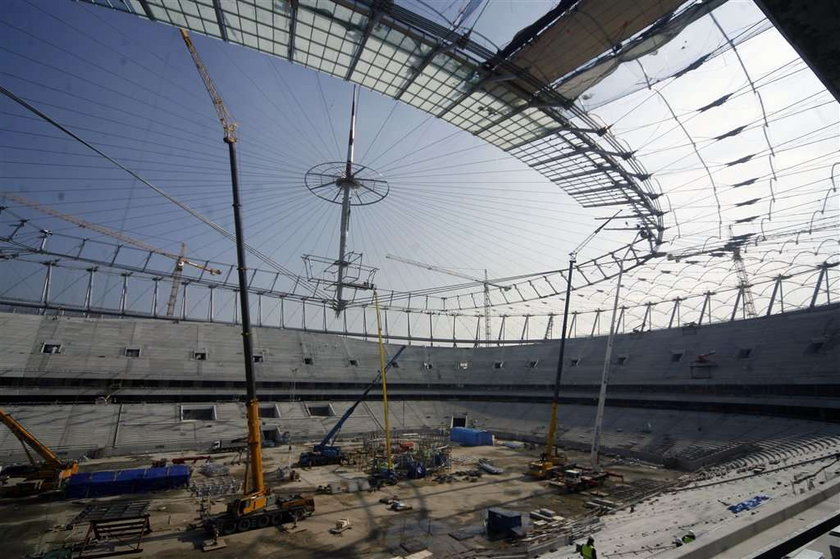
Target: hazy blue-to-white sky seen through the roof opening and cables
{"points": [[129, 87]]}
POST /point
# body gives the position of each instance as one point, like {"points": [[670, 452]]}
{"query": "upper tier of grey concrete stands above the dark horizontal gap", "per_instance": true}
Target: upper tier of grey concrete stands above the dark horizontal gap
{"points": [[780, 352]]}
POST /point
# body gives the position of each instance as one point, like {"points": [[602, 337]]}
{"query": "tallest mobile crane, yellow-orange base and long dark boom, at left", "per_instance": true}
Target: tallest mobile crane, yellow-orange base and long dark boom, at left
{"points": [[253, 509]]}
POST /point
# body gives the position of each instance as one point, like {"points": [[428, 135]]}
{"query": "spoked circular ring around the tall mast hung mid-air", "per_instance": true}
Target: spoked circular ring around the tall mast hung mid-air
{"points": [[328, 181]]}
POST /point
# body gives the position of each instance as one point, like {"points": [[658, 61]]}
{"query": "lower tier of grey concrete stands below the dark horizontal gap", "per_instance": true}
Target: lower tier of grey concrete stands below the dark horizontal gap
{"points": [[647, 434]]}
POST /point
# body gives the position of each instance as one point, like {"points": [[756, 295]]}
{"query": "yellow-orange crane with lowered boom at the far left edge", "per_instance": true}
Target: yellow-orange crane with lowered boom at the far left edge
{"points": [[48, 475]]}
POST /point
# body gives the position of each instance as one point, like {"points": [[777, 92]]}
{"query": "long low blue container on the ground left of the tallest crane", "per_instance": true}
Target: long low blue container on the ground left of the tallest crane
{"points": [[122, 482]]}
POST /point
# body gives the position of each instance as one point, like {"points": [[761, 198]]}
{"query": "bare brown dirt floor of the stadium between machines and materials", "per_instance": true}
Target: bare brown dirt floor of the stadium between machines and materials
{"points": [[36, 525]]}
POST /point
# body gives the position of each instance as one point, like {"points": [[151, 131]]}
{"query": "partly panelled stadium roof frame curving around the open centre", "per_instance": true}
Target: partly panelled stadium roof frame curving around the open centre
{"points": [[773, 213]]}
